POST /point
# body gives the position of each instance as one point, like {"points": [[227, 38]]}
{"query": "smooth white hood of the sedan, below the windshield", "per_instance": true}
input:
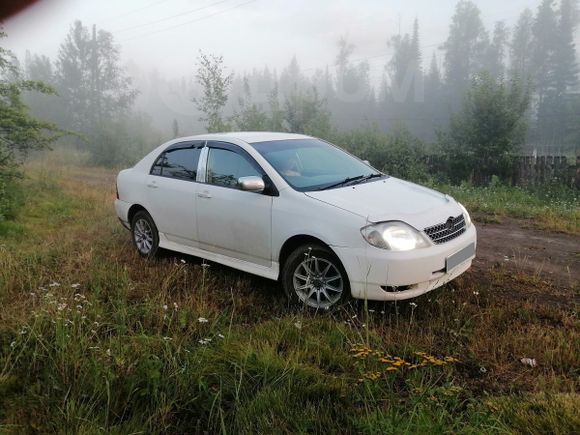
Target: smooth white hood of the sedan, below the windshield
{"points": [[392, 199]]}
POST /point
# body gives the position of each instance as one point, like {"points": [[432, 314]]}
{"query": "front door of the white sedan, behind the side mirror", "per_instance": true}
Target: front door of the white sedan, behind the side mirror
{"points": [[231, 221]]}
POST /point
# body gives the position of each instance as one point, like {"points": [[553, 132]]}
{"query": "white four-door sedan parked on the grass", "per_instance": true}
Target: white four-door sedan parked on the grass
{"points": [[296, 209]]}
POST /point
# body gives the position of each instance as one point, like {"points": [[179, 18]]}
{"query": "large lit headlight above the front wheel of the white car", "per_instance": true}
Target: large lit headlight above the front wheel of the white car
{"points": [[395, 236]]}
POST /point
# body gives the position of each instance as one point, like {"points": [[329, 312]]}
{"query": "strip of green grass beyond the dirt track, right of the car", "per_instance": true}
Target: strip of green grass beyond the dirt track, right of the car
{"points": [[553, 208]]}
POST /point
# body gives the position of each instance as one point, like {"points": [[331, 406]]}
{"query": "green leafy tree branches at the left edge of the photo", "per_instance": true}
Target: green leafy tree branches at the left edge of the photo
{"points": [[20, 133]]}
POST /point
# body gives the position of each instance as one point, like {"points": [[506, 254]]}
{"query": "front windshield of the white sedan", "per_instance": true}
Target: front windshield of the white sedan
{"points": [[311, 164]]}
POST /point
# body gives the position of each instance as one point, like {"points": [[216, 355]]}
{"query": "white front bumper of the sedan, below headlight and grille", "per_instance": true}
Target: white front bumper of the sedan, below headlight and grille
{"points": [[378, 274]]}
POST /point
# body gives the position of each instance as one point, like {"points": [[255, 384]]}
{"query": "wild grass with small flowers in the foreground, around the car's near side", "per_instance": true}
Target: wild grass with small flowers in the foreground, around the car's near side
{"points": [[95, 339]]}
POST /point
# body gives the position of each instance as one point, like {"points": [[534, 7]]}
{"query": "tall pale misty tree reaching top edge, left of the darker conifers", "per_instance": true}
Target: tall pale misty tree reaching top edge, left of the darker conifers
{"points": [[464, 49]]}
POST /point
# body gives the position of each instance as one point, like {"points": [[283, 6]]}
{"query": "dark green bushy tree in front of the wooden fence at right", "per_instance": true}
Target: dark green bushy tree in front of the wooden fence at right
{"points": [[490, 126]]}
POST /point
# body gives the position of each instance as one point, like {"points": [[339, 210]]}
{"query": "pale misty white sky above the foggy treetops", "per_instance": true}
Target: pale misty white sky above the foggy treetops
{"points": [[167, 34]]}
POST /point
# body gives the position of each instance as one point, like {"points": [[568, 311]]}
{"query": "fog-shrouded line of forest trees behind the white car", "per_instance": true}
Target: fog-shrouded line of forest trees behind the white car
{"points": [[484, 94]]}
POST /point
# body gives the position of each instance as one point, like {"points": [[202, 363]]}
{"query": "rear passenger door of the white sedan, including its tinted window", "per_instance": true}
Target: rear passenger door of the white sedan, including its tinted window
{"points": [[171, 188]]}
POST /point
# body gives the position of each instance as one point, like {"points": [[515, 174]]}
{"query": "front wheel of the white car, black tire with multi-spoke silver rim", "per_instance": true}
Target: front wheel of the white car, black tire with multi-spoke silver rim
{"points": [[313, 276]]}
